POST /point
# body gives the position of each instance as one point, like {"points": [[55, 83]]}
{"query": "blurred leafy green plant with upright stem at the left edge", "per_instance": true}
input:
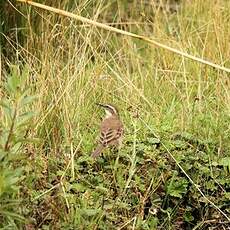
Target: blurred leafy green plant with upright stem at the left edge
{"points": [[14, 127]]}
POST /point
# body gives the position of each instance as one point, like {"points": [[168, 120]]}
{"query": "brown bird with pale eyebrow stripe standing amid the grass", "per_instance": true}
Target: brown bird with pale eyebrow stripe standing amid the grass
{"points": [[111, 129]]}
